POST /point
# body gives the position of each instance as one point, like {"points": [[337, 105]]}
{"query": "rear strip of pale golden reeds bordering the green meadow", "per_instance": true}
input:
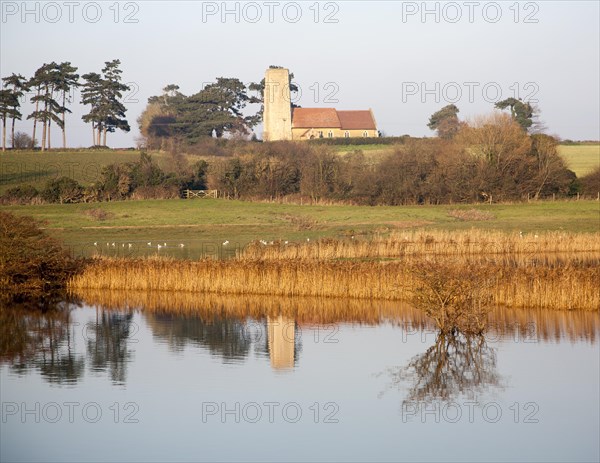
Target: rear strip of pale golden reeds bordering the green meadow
{"points": [[417, 243]]}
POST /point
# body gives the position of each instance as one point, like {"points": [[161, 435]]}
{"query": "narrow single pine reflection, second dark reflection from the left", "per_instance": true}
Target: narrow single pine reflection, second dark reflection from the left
{"points": [[107, 343]]}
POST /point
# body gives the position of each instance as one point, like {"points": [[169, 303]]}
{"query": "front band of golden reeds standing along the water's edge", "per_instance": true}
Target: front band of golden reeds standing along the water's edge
{"points": [[554, 286]]}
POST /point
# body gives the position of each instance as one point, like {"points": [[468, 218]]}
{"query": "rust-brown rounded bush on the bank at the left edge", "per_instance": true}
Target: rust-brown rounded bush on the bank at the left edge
{"points": [[33, 266]]}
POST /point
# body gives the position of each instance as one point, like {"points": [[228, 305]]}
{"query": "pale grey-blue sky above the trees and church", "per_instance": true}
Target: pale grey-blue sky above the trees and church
{"points": [[404, 60]]}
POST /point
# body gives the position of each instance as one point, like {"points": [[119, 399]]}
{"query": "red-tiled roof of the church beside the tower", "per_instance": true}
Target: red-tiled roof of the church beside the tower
{"points": [[306, 118]]}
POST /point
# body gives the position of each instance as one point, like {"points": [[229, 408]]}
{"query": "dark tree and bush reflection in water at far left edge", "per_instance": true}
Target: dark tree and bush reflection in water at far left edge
{"points": [[40, 340]]}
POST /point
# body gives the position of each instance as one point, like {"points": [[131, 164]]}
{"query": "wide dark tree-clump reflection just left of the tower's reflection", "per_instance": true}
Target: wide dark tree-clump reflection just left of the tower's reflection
{"points": [[223, 337]]}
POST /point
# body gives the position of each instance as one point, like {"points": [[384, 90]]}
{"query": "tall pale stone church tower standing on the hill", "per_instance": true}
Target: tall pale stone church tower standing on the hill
{"points": [[277, 106]]}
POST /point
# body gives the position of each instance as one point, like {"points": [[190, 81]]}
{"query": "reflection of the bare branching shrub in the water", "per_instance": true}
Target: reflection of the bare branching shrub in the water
{"points": [[453, 366]]}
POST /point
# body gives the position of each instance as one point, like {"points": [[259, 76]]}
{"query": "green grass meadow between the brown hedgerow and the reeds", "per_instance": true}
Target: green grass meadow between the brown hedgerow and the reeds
{"points": [[202, 225]]}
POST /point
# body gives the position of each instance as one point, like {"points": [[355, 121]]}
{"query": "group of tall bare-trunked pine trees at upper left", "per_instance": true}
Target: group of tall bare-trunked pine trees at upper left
{"points": [[52, 86]]}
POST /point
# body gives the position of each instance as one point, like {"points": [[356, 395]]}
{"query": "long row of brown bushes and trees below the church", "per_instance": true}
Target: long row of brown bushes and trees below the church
{"points": [[491, 160]]}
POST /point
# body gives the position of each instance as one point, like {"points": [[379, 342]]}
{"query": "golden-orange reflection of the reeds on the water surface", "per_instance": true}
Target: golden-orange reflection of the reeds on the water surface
{"points": [[521, 325]]}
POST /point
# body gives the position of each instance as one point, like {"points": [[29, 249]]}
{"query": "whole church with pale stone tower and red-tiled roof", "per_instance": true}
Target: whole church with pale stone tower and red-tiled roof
{"points": [[282, 122]]}
